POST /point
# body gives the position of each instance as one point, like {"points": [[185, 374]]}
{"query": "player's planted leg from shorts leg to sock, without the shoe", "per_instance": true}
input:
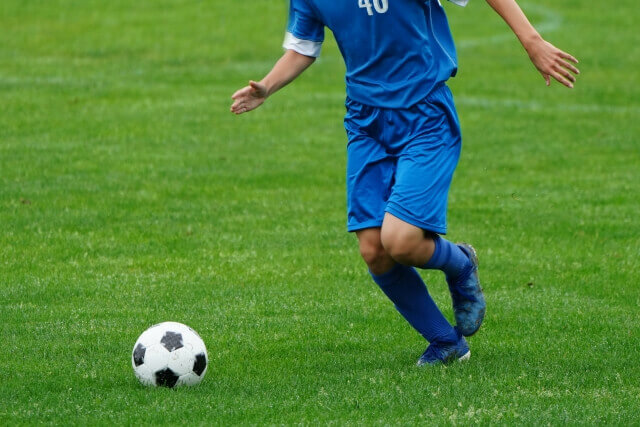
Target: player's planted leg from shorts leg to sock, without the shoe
{"points": [[370, 178]]}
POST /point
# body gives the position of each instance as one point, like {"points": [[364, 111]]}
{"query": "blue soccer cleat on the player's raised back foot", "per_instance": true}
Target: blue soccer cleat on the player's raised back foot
{"points": [[469, 305]]}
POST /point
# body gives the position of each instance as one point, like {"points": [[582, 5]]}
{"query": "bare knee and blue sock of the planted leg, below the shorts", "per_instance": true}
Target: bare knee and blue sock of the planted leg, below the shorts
{"points": [[405, 288]]}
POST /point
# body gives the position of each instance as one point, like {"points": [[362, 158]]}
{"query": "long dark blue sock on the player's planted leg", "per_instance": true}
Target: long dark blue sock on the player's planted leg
{"points": [[404, 286]]}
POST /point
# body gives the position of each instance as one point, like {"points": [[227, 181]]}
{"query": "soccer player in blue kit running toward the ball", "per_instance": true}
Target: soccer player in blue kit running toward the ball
{"points": [[403, 144]]}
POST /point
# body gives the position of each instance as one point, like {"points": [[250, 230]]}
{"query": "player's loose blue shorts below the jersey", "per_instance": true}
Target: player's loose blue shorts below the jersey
{"points": [[402, 161]]}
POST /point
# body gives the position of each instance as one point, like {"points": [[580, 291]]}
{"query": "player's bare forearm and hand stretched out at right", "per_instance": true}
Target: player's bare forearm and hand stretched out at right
{"points": [[548, 59]]}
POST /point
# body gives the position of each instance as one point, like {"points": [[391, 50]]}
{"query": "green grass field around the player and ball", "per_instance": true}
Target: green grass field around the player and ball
{"points": [[129, 195]]}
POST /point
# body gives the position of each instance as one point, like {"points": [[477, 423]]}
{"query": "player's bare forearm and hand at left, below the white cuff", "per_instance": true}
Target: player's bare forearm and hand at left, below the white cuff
{"points": [[290, 66]]}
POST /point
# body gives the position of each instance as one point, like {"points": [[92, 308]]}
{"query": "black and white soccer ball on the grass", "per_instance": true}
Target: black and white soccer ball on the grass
{"points": [[169, 354]]}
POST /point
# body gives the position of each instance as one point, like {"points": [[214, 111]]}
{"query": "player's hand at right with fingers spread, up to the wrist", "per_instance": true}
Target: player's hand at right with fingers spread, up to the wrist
{"points": [[552, 62]]}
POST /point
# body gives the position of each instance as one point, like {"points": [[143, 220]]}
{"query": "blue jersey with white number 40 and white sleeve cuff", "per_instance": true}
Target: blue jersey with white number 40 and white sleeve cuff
{"points": [[396, 51]]}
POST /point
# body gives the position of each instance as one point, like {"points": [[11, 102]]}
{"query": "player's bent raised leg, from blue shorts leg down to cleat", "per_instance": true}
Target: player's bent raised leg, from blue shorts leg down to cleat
{"points": [[424, 171]]}
